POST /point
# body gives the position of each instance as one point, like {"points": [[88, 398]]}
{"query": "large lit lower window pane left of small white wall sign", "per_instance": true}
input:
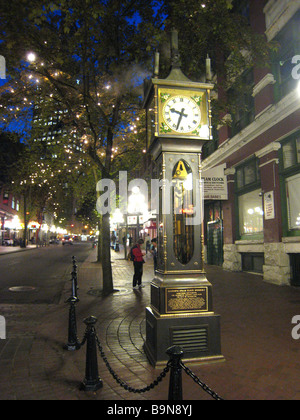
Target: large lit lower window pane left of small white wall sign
{"points": [[251, 213]]}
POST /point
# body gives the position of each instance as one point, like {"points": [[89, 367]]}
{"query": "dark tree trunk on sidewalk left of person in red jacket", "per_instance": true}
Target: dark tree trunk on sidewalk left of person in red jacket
{"points": [[108, 287]]}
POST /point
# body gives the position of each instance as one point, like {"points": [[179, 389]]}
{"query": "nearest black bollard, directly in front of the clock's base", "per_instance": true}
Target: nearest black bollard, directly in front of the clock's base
{"points": [[175, 388]]}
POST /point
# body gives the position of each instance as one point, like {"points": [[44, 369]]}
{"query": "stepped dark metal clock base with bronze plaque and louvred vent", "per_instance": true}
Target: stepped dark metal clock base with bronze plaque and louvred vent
{"points": [[181, 315]]}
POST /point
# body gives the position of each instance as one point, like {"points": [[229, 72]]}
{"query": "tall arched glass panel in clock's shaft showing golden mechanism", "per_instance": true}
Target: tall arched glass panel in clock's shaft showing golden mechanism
{"points": [[183, 232]]}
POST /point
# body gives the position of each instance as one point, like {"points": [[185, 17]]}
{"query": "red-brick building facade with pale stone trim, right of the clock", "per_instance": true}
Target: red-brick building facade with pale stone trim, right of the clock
{"points": [[261, 149]]}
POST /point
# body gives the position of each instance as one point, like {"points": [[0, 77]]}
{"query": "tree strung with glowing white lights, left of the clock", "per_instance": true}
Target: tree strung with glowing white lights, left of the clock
{"points": [[89, 61]]}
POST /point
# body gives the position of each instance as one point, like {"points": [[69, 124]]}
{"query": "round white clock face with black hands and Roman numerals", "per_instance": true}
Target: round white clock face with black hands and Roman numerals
{"points": [[182, 114]]}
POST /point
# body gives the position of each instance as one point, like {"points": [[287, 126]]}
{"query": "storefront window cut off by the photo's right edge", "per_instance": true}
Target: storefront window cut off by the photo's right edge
{"points": [[293, 201]]}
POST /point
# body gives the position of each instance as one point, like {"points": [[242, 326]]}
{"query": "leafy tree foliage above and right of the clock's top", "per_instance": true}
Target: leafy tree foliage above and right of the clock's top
{"points": [[218, 28]]}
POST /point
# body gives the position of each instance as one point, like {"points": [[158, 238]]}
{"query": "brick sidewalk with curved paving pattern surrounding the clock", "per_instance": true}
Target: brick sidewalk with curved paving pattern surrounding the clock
{"points": [[262, 359]]}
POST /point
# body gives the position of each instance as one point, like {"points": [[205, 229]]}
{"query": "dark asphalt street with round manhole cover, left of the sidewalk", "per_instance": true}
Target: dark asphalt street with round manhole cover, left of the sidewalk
{"points": [[41, 271]]}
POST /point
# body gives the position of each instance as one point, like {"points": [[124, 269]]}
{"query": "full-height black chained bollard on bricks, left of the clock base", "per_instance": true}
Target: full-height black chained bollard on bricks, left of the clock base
{"points": [[92, 381]]}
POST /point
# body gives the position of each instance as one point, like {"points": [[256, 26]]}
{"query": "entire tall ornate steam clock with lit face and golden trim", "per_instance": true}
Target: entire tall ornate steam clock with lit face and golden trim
{"points": [[181, 310]]}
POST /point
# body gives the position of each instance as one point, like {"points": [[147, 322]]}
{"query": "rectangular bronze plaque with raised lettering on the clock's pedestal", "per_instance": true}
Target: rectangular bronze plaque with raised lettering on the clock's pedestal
{"points": [[189, 299]]}
